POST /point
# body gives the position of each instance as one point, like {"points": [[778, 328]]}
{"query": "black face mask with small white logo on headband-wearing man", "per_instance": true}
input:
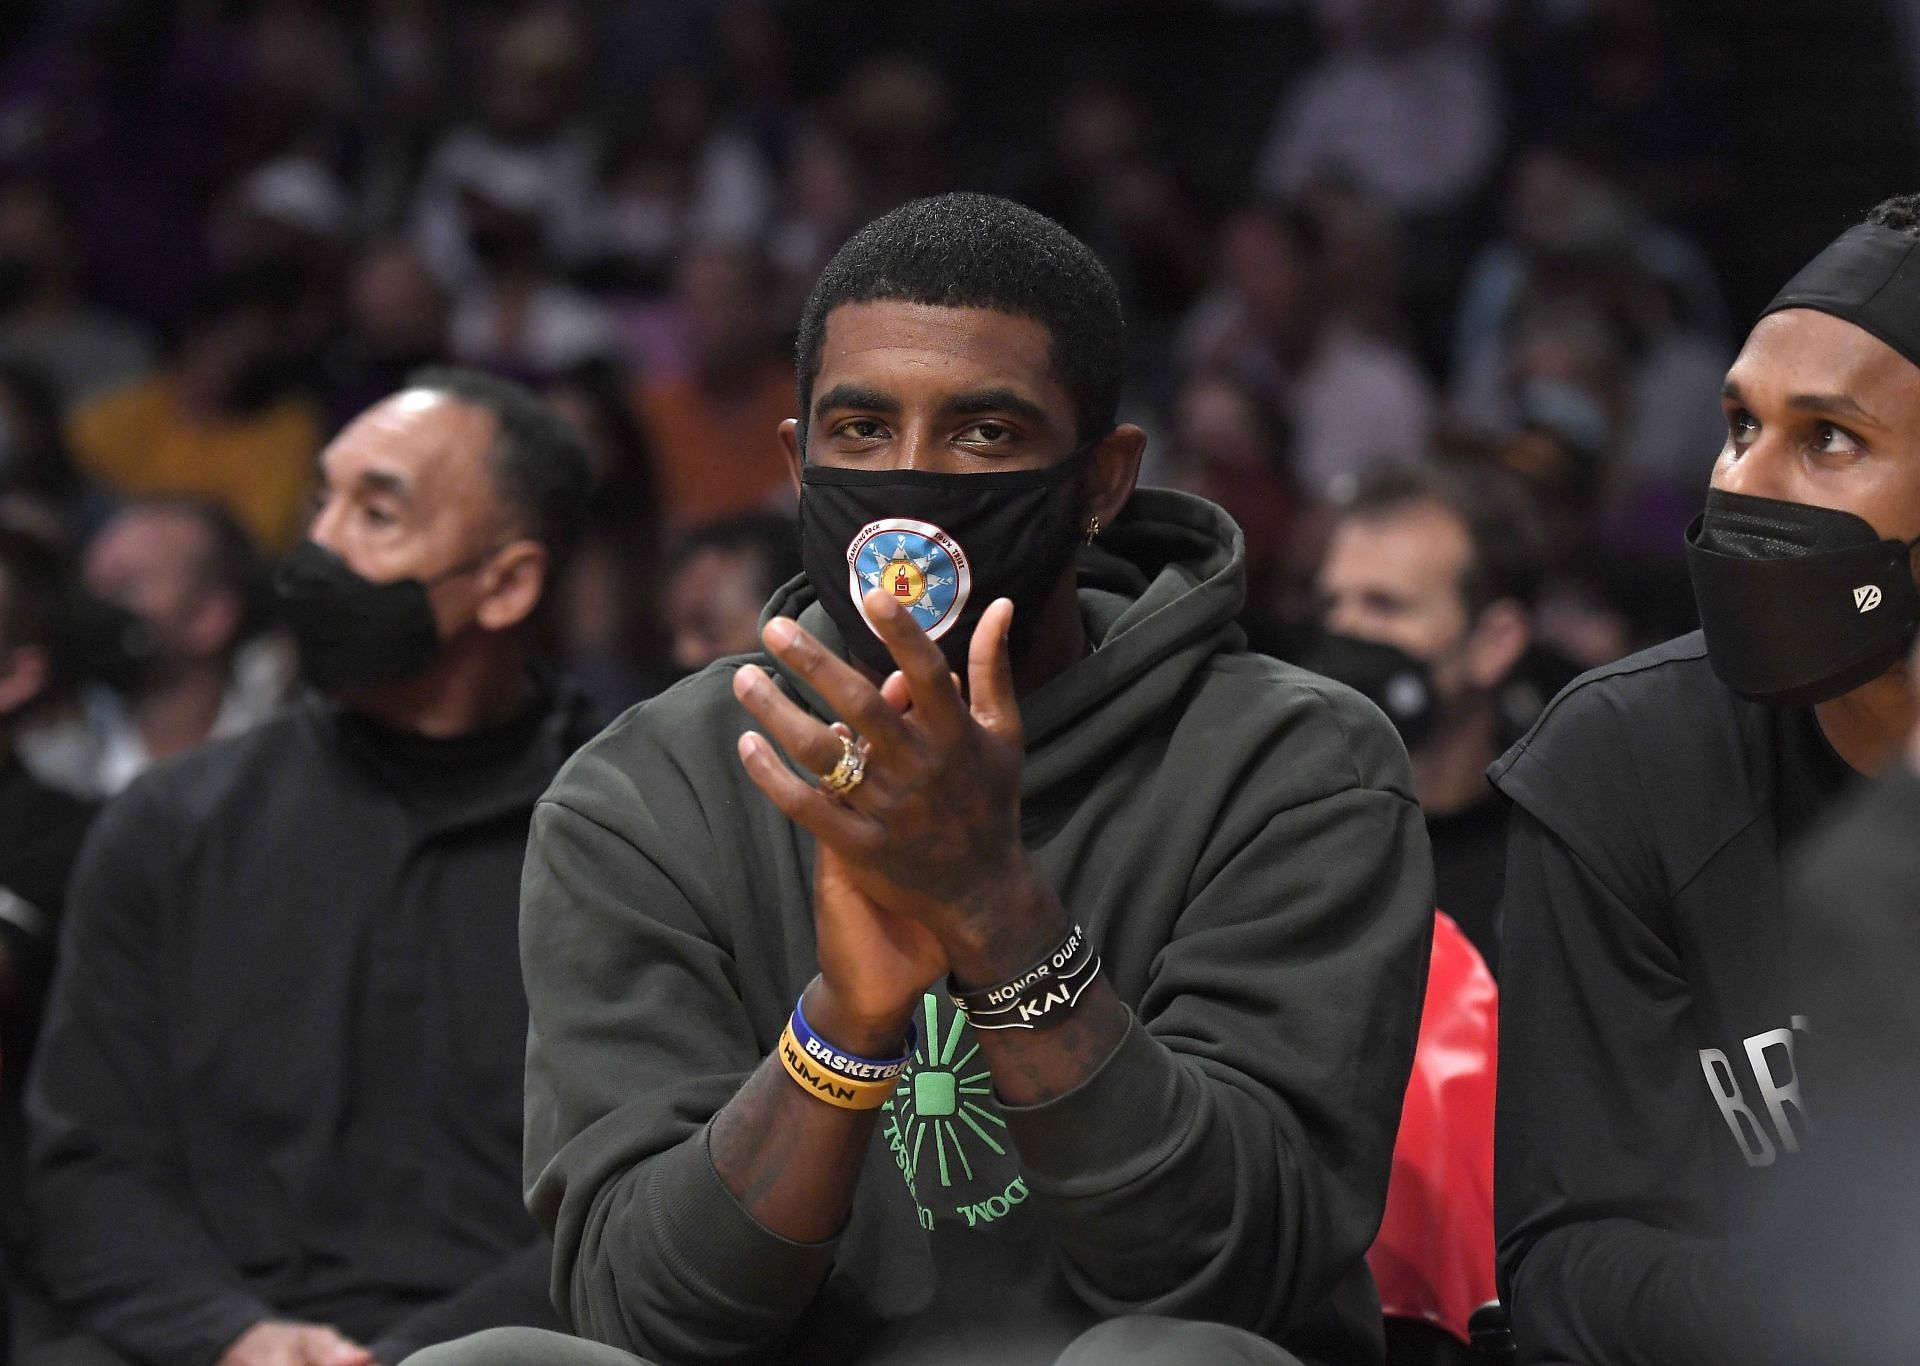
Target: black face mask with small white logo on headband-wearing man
{"points": [[1800, 604]]}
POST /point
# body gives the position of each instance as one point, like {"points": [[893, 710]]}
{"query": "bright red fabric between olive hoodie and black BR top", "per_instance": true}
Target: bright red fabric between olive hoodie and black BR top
{"points": [[1435, 1252]]}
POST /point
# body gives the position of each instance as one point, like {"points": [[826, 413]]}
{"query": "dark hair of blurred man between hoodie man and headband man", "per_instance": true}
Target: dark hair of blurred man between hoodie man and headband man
{"points": [[1502, 527]]}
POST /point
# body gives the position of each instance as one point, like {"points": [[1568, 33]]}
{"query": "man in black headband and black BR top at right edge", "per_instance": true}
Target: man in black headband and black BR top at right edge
{"points": [[1650, 1010]]}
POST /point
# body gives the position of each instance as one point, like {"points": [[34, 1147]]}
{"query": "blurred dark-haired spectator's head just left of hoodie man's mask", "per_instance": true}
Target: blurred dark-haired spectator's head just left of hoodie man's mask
{"points": [[721, 579]]}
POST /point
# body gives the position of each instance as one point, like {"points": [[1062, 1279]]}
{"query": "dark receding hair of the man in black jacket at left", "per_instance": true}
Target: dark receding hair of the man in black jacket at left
{"points": [[540, 464]]}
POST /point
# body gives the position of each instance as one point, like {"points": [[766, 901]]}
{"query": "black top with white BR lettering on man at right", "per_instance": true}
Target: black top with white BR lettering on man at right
{"points": [[1648, 1015]]}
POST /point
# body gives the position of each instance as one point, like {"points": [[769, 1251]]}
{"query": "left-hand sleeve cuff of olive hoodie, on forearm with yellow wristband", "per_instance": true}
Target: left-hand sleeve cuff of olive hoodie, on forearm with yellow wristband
{"points": [[704, 1231]]}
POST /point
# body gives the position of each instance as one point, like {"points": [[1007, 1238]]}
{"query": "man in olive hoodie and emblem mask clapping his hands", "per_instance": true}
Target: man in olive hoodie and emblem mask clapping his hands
{"points": [[1109, 962]]}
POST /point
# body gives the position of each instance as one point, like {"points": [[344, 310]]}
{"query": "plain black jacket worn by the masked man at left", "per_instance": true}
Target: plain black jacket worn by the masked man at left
{"points": [[283, 1065]]}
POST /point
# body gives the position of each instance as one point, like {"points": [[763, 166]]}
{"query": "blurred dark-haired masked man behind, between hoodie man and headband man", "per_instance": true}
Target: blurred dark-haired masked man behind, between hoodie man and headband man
{"points": [[1428, 602]]}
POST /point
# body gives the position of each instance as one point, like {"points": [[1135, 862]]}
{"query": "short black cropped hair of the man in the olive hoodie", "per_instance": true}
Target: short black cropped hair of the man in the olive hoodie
{"points": [[980, 251]]}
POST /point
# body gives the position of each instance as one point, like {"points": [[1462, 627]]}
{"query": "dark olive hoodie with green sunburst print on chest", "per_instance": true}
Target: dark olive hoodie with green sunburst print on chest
{"points": [[1243, 842]]}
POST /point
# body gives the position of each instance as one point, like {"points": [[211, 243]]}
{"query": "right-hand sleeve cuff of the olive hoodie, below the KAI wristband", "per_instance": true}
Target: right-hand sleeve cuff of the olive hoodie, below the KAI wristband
{"points": [[1115, 1129]]}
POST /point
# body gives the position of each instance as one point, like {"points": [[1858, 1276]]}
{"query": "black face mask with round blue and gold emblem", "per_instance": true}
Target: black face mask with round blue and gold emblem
{"points": [[944, 545]]}
